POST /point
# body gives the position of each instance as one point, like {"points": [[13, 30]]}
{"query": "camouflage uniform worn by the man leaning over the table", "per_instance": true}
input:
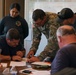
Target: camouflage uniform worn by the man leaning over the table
{"points": [[49, 30]]}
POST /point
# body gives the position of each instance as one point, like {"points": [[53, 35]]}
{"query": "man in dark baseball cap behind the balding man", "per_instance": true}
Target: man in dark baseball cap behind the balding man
{"points": [[67, 16]]}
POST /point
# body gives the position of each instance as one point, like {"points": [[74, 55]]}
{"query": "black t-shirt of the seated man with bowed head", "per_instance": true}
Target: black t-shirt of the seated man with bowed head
{"points": [[7, 50]]}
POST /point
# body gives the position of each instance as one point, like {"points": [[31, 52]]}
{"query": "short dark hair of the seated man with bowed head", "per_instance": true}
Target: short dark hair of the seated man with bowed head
{"points": [[13, 33]]}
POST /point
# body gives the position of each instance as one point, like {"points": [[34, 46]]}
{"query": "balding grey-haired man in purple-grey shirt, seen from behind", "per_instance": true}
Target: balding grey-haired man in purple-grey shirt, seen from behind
{"points": [[66, 55]]}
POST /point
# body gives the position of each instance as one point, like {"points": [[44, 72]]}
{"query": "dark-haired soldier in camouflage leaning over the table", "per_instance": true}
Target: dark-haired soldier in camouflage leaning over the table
{"points": [[43, 23]]}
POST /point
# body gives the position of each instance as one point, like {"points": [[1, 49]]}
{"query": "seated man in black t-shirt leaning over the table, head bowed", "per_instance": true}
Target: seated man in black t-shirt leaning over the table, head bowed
{"points": [[10, 46]]}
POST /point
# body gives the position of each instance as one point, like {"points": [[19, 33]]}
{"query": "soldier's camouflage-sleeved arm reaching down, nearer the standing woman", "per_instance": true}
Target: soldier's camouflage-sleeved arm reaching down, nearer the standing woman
{"points": [[36, 39]]}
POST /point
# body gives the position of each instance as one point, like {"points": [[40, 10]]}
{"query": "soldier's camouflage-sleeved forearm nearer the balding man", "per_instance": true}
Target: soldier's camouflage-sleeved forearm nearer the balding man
{"points": [[49, 51]]}
